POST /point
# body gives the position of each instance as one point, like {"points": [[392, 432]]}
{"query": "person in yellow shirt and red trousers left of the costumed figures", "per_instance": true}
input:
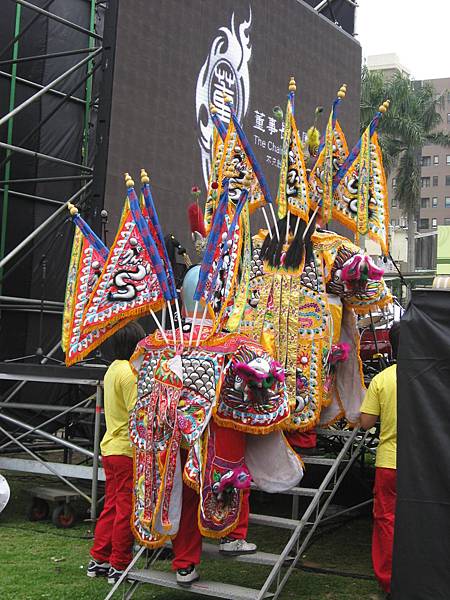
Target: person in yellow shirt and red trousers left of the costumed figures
{"points": [[113, 539]]}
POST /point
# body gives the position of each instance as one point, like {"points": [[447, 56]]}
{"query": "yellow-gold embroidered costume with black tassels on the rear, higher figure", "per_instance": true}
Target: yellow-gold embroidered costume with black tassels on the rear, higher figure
{"points": [[304, 297]]}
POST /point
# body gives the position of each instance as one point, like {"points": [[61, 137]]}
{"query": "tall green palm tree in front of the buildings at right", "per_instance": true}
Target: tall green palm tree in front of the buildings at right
{"points": [[409, 124]]}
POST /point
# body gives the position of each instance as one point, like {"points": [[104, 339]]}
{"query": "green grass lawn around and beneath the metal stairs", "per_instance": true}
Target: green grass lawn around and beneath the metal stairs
{"points": [[40, 561]]}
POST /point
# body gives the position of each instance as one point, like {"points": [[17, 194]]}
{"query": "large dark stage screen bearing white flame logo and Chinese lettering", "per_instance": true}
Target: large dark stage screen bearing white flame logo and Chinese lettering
{"points": [[171, 59]]}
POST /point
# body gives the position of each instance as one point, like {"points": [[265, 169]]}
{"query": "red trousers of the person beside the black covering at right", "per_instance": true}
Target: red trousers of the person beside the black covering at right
{"points": [[385, 495]]}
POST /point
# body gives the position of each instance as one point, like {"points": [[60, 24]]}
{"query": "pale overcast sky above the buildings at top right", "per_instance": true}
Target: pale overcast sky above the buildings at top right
{"points": [[416, 30]]}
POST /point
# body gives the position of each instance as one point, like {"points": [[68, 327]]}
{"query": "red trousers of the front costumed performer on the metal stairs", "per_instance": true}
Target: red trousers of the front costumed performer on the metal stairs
{"points": [[187, 545]]}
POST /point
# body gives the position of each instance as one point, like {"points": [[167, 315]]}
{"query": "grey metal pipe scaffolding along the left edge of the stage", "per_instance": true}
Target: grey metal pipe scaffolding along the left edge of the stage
{"points": [[90, 64]]}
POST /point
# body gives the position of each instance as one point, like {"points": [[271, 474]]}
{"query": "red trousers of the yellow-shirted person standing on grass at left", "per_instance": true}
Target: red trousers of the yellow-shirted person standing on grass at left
{"points": [[113, 539]]}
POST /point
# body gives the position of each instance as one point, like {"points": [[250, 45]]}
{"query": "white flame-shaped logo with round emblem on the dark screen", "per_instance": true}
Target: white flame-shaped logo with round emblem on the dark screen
{"points": [[224, 71]]}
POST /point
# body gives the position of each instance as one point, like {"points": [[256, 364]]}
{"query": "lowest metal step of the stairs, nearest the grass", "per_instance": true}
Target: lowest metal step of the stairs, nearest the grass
{"points": [[205, 588]]}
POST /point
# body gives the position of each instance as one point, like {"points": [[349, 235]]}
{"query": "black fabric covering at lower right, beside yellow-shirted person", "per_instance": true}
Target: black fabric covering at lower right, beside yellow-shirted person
{"points": [[421, 566]]}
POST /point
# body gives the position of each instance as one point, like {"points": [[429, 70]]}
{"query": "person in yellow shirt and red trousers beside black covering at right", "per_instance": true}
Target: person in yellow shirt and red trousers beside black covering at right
{"points": [[381, 402]]}
